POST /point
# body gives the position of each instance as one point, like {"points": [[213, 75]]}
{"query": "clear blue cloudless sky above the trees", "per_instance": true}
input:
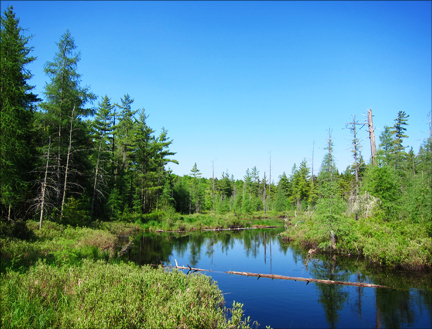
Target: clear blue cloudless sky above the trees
{"points": [[234, 81]]}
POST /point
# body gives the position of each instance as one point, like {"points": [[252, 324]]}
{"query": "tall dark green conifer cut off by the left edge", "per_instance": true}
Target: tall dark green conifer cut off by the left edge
{"points": [[16, 114]]}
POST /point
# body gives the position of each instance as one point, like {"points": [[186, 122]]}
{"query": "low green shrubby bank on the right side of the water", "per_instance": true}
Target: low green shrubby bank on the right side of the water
{"points": [[392, 244]]}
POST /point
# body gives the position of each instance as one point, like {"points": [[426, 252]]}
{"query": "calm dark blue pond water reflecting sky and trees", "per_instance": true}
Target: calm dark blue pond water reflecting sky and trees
{"points": [[291, 304]]}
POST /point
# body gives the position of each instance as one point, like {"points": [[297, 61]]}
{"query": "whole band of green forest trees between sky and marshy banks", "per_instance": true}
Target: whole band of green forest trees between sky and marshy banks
{"points": [[71, 160]]}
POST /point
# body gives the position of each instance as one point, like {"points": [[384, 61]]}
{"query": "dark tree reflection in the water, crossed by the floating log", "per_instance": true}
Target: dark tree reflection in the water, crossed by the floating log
{"points": [[332, 297]]}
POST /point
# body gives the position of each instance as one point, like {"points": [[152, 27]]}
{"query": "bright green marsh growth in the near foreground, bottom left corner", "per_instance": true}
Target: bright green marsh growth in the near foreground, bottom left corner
{"points": [[124, 295]]}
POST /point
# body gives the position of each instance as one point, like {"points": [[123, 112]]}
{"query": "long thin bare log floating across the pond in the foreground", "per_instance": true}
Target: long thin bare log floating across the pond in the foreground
{"points": [[279, 277]]}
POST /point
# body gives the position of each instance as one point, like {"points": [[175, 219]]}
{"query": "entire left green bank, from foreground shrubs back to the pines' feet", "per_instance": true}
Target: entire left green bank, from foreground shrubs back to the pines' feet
{"points": [[72, 277]]}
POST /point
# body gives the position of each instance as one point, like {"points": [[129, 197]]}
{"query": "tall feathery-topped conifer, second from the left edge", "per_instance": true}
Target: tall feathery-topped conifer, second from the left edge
{"points": [[64, 108]]}
